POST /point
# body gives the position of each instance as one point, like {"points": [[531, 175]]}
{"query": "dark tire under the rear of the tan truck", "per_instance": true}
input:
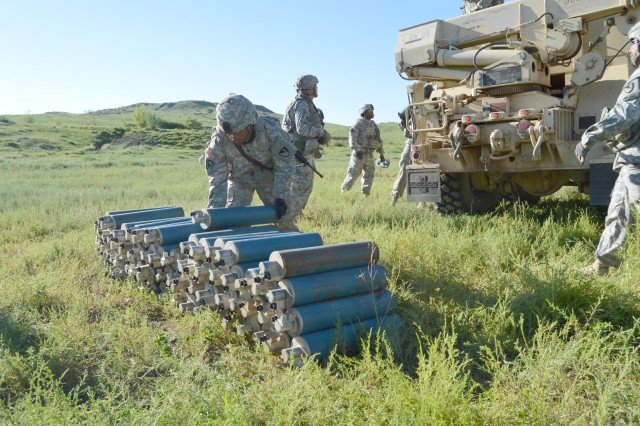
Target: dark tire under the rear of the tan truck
{"points": [[458, 196]]}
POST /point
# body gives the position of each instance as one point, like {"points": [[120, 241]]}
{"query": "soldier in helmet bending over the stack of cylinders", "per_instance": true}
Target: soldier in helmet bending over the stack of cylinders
{"points": [[253, 153]]}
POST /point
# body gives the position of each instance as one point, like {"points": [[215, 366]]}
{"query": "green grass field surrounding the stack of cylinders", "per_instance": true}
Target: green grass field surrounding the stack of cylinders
{"points": [[500, 328]]}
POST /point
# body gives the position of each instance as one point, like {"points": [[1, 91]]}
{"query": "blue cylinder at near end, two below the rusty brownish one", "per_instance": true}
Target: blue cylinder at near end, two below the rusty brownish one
{"points": [[329, 314]]}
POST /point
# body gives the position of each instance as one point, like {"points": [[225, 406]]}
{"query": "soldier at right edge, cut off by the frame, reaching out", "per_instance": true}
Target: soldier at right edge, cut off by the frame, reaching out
{"points": [[618, 129]]}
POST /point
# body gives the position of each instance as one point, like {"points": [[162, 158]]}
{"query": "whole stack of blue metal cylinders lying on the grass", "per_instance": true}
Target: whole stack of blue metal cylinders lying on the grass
{"points": [[294, 295]]}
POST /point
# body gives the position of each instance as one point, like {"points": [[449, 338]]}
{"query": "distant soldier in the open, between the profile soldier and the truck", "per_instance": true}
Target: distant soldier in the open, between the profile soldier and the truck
{"points": [[364, 139]]}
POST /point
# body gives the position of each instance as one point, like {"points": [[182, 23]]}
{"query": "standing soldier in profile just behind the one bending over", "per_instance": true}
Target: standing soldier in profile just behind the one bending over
{"points": [[304, 122]]}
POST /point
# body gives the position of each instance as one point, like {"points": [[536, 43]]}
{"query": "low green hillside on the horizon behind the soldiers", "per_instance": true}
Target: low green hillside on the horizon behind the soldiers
{"points": [[184, 124]]}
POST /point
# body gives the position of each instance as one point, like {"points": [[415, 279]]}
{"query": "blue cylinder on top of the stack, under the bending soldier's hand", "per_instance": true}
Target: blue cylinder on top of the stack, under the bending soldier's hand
{"points": [[228, 217]]}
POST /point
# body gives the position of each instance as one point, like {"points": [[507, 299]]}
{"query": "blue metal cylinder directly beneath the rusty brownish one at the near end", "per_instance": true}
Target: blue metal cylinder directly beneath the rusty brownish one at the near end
{"points": [[307, 289]]}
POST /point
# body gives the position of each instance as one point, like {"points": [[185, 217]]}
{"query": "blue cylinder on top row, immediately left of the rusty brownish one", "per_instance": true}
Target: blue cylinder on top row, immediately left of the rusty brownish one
{"points": [[248, 250]]}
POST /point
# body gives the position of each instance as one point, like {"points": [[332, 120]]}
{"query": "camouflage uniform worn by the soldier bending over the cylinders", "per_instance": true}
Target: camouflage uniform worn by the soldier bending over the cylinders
{"points": [[271, 147]]}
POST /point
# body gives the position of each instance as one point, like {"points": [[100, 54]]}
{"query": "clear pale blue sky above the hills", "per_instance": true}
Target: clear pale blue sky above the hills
{"points": [[77, 56]]}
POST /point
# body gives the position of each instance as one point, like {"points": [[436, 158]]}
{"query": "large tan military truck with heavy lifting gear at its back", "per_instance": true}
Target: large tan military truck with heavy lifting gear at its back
{"points": [[500, 97]]}
